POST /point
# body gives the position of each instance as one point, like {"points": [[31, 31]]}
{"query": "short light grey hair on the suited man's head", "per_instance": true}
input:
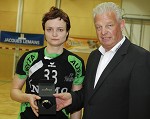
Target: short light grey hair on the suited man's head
{"points": [[107, 7]]}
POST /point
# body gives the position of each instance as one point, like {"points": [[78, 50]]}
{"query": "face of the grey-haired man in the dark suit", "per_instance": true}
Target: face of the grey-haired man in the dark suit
{"points": [[108, 29]]}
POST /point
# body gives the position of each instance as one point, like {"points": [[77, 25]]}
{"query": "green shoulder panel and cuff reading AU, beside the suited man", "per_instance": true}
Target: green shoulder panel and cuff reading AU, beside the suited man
{"points": [[77, 65]]}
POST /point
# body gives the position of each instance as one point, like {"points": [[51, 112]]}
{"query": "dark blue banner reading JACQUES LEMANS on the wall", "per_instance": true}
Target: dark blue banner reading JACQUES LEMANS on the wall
{"points": [[21, 38]]}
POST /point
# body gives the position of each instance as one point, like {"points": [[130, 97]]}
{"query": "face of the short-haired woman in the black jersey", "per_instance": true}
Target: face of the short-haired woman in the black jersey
{"points": [[55, 32]]}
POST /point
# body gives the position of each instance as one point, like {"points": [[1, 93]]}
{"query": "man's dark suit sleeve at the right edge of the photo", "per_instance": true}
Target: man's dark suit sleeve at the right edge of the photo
{"points": [[139, 101]]}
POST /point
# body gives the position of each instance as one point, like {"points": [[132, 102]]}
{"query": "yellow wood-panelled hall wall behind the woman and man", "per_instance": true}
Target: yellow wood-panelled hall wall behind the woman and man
{"points": [[79, 11]]}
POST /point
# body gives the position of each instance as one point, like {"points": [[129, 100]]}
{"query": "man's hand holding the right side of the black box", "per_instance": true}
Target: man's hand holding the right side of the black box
{"points": [[63, 100]]}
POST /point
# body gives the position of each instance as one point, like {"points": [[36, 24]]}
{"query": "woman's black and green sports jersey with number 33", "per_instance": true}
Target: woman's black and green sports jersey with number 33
{"points": [[64, 70]]}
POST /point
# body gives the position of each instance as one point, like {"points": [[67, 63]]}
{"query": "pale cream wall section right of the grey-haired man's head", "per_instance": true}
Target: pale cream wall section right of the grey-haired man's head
{"points": [[138, 22]]}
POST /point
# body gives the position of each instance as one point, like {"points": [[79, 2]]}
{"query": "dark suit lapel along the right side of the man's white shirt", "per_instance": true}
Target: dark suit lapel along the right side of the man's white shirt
{"points": [[112, 64]]}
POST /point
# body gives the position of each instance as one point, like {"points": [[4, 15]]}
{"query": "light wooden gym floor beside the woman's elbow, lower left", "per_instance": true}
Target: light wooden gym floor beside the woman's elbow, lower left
{"points": [[8, 108]]}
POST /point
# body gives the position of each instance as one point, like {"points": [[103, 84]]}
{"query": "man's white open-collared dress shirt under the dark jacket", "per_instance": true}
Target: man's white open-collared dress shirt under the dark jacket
{"points": [[105, 59]]}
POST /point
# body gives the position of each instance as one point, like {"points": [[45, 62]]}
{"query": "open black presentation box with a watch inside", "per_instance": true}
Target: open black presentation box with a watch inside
{"points": [[47, 103]]}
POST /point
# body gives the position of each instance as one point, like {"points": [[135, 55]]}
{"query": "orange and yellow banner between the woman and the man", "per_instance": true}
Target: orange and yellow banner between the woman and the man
{"points": [[81, 44]]}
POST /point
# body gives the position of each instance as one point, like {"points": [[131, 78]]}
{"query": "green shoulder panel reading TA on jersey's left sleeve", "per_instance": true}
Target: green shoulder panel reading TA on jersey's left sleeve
{"points": [[29, 59]]}
